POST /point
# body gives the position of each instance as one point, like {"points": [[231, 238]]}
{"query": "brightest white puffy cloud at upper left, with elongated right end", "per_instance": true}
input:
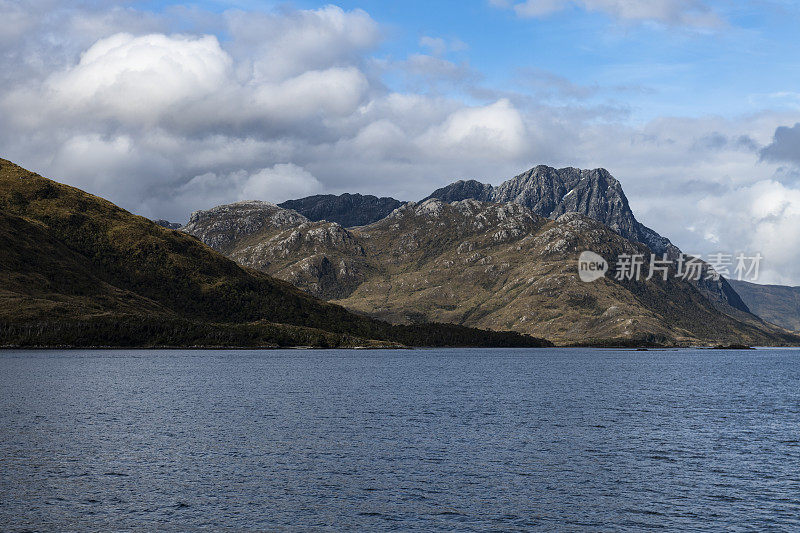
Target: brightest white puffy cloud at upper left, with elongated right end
{"points": [[182, 83]]}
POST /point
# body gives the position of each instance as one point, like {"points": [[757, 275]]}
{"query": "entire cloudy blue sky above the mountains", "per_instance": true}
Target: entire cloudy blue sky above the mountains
{"points": [[166, 108]]}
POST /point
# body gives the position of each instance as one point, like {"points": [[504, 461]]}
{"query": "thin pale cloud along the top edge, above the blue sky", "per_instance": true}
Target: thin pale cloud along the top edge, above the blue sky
{"points": [[692, 13]]}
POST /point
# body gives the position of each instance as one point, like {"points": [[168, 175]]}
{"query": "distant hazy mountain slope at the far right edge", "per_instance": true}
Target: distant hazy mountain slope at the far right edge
{"points": [[778, 304]]}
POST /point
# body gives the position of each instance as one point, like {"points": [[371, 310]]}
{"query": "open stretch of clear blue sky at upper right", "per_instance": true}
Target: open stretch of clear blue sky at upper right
{"points": [[749, 62]]}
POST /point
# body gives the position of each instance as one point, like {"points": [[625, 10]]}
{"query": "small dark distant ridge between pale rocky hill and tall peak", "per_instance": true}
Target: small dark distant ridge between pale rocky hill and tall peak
{"points": [[346, 209]]}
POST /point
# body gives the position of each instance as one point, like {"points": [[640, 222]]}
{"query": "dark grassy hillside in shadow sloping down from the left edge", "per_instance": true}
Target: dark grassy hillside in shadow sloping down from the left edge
{"points": [[78, 270]]}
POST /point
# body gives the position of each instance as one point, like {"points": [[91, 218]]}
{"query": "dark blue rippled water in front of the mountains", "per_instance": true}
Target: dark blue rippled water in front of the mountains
{"points": [[425, 440]]}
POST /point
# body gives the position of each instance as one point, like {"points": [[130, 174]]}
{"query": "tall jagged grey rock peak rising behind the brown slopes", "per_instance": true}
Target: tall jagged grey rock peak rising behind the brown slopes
{"points": [[551, 192]]}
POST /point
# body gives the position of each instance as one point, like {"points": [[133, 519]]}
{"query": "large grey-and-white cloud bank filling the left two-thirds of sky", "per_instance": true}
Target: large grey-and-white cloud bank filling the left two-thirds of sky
{"points": [[139, 118]]}
